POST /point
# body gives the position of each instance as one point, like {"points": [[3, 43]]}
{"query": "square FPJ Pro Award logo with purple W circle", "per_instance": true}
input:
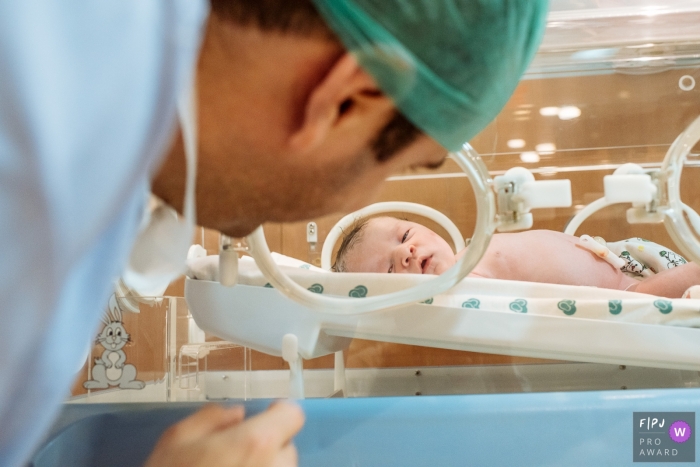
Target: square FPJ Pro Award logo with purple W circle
{"points": [[664, 437]]}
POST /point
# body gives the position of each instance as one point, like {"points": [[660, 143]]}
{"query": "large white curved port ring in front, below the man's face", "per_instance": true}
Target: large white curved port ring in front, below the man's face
{"points": [[468, 160]]}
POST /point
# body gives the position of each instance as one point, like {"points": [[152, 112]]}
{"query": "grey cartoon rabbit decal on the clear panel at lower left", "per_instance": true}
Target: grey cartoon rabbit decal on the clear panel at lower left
{"points": [[109, 369]]}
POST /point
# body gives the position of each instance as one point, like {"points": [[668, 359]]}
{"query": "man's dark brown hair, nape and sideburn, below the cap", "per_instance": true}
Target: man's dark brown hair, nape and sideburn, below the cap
{"points": [[300, 17]]}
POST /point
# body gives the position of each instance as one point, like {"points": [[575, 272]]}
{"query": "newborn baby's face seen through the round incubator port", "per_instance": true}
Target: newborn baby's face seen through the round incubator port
{"points": [[397, 246]]}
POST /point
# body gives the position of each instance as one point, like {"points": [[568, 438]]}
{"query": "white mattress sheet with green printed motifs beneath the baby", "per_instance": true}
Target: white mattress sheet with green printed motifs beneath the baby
{"points": [[495, 295]]}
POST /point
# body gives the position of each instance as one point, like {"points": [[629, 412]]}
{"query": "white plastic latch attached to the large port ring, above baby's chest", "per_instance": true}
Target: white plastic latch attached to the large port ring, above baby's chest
{"points": [[518, 192]]}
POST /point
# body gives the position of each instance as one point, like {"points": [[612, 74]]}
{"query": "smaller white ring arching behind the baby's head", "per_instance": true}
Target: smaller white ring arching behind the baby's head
{"points": [[388, 206]]}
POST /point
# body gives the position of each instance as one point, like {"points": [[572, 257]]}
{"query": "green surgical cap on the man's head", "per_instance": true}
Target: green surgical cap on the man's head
{"points": [[449, 65]]}
